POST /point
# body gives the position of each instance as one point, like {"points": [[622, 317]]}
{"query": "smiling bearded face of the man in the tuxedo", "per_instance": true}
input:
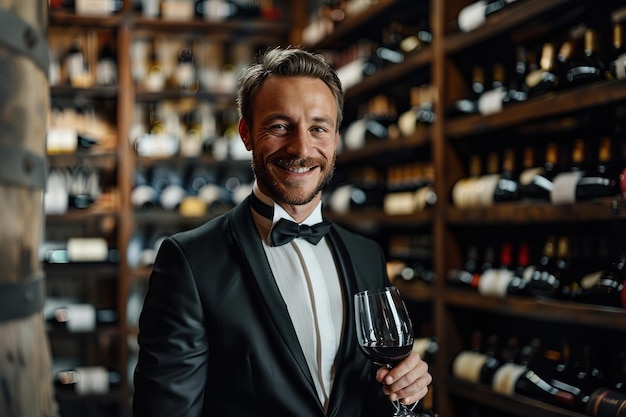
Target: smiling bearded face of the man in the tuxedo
{"points": [[293, 138]]}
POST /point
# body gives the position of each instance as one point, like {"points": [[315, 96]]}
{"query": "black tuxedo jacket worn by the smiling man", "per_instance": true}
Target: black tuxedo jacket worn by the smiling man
{"points": [[216, 338]]}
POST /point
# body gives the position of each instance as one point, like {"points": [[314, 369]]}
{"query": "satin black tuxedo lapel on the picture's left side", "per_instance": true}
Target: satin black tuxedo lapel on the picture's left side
{"points": [[253, 255]]}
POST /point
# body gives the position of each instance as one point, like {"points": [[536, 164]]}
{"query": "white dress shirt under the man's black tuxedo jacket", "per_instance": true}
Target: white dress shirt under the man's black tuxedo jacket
{"points": [[308, 281]]}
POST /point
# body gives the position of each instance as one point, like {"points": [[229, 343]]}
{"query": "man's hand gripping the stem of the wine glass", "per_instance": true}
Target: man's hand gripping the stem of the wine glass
{"points": [[408, 381]]}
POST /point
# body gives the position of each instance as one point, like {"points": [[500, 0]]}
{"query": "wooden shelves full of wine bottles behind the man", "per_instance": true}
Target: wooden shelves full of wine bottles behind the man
{"points": [[483, 145]]}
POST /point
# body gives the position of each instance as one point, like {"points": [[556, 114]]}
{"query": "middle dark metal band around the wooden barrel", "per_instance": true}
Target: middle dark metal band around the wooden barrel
{"points": [[19, 166]]}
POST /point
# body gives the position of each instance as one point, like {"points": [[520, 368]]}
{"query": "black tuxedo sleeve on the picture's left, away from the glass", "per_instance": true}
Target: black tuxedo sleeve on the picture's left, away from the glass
{"points": [[170, 376]]}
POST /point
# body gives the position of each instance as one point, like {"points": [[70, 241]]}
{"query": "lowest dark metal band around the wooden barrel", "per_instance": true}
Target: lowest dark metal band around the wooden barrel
{"points": [[22, 299]]}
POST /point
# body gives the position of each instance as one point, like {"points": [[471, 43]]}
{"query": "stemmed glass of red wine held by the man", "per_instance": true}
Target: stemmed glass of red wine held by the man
{"points": [[384, 332]]}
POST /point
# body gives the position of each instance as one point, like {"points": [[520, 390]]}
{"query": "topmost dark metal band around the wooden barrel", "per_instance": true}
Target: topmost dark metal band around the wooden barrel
{"points": [[21, 37]]}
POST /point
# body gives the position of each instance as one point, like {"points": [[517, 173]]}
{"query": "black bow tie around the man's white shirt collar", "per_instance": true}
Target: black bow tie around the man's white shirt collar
{"points": [[284, 231]]}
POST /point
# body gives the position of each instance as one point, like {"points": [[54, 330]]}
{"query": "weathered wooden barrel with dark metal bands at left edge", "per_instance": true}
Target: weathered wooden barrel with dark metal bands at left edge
{"points": [[26, 387]]}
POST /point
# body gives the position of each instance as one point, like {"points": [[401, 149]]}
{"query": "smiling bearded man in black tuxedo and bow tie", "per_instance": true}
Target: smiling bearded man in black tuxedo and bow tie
{"points": [[240, 321]]}
